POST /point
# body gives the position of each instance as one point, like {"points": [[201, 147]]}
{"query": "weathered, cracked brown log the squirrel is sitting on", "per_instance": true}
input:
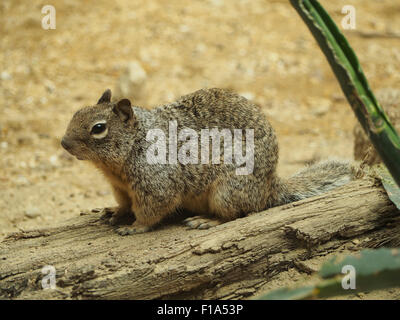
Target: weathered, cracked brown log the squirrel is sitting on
{"points": [[230, 261]]}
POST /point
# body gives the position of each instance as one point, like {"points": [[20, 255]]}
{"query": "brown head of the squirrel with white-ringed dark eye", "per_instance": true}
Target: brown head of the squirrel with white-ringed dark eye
{"points": [[100, 133]]}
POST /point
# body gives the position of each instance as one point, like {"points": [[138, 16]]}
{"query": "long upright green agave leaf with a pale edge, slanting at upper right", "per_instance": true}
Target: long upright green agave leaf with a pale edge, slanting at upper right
{"points": [[353, 82]]}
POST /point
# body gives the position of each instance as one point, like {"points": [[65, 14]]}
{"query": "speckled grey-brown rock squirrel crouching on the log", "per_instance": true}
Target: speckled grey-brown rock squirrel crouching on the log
{"points": [[118, 138]]}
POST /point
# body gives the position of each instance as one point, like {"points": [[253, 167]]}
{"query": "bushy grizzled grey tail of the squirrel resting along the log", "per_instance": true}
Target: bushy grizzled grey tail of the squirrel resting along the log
{"points": [[317, 179]]}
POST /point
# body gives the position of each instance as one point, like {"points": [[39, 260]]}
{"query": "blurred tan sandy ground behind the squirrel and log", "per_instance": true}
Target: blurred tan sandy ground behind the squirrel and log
{"points": [[260, 49]]}
